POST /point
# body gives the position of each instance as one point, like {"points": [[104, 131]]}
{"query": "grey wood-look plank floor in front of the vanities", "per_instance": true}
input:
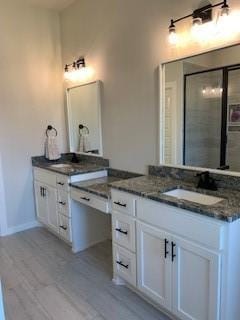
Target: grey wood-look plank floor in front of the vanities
{"points": [[44, 280]]}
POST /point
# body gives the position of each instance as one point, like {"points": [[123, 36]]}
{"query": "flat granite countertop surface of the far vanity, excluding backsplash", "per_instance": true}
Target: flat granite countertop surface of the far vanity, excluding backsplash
{"points": [[72, 168]]}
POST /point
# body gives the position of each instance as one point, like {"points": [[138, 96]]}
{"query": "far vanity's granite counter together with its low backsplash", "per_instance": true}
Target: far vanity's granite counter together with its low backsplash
{"points": [[86, 164]]}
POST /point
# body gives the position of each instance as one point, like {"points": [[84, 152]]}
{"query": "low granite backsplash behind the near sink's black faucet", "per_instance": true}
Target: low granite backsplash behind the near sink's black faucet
{"points": [[189, 175]]}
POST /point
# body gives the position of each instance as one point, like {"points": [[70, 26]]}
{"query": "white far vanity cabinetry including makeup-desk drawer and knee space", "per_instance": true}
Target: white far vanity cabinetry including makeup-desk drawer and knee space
{"points": [[80, 223]]}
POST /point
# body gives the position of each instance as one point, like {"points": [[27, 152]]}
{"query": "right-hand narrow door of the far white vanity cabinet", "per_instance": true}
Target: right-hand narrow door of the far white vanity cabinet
{"points": [[51, 196]]}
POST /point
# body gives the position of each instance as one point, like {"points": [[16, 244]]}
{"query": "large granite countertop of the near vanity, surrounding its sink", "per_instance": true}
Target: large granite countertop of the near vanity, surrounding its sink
{"points": [[153, 187]]}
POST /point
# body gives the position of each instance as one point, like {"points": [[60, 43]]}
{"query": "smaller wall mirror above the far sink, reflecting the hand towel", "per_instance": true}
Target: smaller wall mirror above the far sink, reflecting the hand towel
{"points": [[84, 118]]}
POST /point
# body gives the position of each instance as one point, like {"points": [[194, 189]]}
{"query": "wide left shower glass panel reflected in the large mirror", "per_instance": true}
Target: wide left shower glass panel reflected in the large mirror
{"points": [[203, 119]]}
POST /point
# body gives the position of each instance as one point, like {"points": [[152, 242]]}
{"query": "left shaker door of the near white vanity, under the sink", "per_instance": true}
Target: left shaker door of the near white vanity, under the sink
{"points": [[153, 265]]}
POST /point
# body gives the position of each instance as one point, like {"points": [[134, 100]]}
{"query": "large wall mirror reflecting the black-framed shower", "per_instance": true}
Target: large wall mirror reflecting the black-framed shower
{"points": [[200, 111]]}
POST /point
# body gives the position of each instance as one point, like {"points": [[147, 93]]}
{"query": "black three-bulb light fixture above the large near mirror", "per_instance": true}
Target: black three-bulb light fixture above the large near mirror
{"points": [[199, 17]]}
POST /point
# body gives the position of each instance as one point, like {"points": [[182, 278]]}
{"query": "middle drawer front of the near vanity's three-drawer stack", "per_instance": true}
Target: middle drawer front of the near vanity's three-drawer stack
{"points": [[123, 231]]}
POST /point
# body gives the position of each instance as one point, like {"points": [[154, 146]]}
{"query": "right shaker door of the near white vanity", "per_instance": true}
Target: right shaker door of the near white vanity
{"points": [[196, 282]]}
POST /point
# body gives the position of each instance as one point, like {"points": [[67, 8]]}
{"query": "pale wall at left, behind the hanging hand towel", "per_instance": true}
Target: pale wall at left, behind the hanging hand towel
{"points": [[30, 98]]}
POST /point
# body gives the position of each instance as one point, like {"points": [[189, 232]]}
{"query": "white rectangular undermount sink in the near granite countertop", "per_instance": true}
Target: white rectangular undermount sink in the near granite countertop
{"points": [[193, 196]]}
